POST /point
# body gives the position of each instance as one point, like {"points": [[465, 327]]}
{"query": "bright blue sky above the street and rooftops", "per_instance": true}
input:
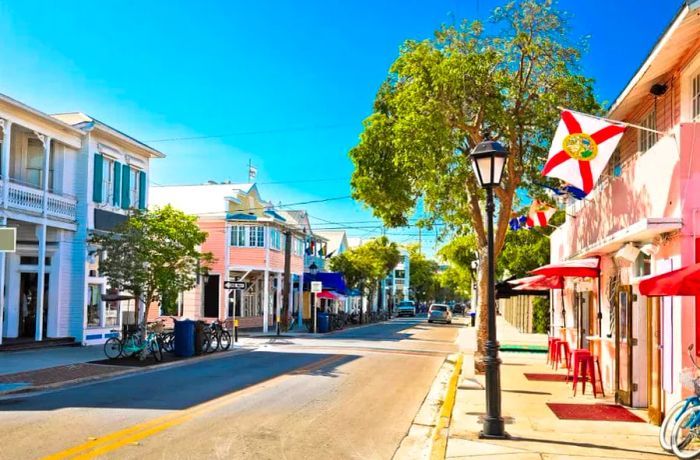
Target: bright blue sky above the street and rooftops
{"points": [[290, 81]]}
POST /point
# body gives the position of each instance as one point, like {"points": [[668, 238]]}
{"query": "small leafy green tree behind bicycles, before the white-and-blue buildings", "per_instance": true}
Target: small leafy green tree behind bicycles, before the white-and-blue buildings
{"points": [[153, 255]]}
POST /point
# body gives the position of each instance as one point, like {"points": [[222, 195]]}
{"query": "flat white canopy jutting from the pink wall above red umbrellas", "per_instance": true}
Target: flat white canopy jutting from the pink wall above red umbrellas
{"points": [[643, 231]]}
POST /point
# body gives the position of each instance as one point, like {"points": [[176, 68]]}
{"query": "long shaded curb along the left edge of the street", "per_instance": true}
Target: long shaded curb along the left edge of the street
{"points": [[35, 390]]}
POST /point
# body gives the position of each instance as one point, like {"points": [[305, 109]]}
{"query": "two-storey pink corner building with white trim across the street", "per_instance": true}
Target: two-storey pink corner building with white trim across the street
{"points": [[247, 238]]}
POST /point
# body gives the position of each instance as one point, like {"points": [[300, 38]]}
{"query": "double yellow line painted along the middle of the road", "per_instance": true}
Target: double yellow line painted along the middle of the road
{"points": [[143, 430]]}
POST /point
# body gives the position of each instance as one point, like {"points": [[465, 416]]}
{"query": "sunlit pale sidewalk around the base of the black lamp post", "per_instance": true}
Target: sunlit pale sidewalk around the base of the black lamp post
{"points": [[535, 431]]}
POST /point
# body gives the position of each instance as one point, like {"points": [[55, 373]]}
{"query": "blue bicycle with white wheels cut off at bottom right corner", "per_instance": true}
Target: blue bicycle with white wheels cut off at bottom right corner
{"points": [[684, 417]]}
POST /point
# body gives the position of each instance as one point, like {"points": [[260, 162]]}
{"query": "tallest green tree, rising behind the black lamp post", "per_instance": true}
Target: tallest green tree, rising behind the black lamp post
{"points": [[505, 80]]}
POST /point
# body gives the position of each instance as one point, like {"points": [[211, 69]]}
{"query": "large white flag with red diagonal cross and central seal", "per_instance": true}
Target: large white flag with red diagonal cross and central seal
{"points": [[581, 149]]}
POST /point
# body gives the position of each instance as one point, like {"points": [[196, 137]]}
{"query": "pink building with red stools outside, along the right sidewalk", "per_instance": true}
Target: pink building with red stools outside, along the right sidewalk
{"points": [[641, 219]]}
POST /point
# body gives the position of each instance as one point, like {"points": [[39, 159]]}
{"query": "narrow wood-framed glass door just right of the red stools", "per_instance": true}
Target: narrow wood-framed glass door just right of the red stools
{"points": [[623, 346]]}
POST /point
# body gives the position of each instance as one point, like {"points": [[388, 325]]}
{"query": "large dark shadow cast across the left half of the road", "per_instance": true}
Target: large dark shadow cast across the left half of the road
{"points": [[178, 388]]}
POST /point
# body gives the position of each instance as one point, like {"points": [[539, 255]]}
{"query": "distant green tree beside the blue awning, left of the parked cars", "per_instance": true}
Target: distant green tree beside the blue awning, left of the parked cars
{"points": [[365, 266]]}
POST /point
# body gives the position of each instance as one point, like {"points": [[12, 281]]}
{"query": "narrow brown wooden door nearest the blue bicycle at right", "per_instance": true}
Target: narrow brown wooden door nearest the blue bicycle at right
{"points": [[655, 400]]}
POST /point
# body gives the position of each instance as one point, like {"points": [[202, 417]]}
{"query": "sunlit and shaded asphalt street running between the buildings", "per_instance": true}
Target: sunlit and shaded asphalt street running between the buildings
{"points": [[349, 395]]}
